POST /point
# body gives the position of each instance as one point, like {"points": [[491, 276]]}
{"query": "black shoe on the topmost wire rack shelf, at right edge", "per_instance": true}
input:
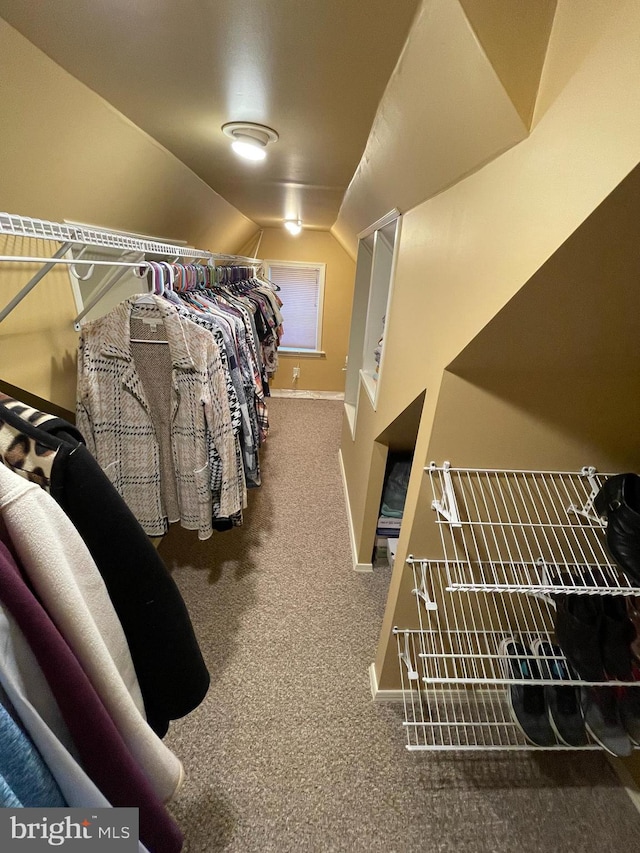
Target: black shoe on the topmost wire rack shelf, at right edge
{"points": [[619, 502]]}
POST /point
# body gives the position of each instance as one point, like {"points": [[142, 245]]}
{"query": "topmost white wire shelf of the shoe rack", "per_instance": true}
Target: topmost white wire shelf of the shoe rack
{"points": [[524, 531]]}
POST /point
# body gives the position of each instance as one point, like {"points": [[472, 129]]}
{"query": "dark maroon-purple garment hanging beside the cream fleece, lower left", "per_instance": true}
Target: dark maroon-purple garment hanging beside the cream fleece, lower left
{"points": [[104, 754]]}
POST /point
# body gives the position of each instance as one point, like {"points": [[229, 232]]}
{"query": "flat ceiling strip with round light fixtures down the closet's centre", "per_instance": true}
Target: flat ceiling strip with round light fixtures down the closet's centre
{"points": [[314, 70]]}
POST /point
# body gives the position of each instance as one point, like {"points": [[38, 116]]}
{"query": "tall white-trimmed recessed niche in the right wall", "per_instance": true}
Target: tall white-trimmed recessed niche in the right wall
{"points": [[377, 250]]}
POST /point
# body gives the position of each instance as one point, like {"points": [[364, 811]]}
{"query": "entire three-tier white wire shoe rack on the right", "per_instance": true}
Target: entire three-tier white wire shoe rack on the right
{"points": [[512, 541]]}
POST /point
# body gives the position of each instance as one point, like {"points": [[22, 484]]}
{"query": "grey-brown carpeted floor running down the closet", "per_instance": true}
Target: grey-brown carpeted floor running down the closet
{"points": [[288, 752]]}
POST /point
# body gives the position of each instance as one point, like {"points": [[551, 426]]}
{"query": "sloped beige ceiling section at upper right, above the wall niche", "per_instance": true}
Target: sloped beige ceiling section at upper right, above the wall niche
{"points": [[447, 111]]}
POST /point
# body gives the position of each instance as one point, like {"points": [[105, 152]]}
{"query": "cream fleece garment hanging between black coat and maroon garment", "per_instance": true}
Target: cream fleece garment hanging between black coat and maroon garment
{"points": [[67, 582]]}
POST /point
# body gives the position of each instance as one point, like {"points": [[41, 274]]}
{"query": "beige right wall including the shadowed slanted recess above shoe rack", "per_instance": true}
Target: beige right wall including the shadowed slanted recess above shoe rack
{"points": [[523, 259]]}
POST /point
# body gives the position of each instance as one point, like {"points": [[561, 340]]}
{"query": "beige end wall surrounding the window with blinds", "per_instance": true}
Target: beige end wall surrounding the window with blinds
{"points": [[326, 373]]}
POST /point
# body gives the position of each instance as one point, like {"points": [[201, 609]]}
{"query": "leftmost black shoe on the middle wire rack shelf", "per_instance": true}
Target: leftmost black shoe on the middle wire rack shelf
{"points": [[577, 627]]}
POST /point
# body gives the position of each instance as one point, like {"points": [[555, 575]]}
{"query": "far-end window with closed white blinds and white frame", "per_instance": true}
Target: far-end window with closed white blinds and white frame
{"points": [[302, 292]]}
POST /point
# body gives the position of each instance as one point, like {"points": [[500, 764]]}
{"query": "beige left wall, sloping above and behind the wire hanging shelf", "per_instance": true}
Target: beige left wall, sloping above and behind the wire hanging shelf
{"points": [[67, 154]]}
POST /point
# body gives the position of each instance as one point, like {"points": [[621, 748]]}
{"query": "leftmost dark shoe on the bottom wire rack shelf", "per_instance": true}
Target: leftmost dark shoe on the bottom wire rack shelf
{"points": [[526, 701]]}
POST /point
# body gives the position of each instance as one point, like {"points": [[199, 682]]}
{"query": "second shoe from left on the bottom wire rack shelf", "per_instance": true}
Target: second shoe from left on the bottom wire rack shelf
{"points": [[563, 701]]}
